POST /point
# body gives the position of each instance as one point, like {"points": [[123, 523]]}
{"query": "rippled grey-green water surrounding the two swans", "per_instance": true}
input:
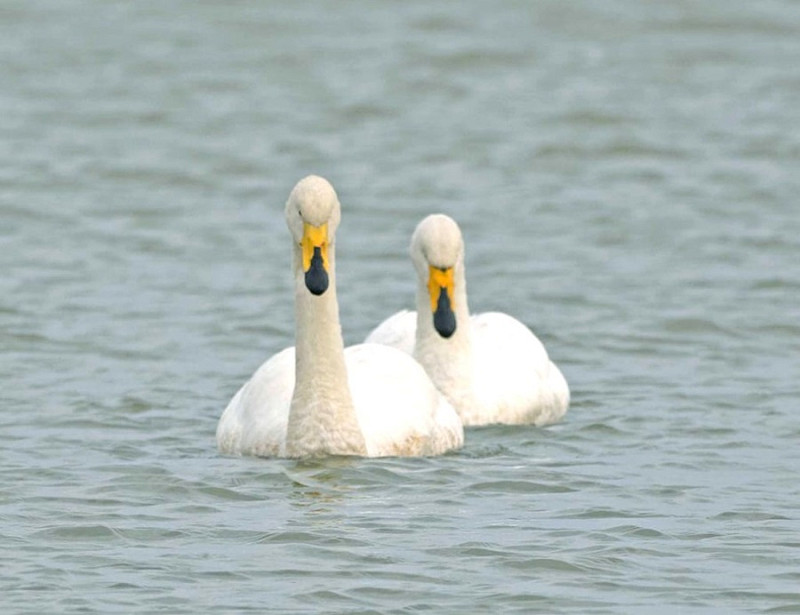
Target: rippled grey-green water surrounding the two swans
{"points": [[626, 177]]}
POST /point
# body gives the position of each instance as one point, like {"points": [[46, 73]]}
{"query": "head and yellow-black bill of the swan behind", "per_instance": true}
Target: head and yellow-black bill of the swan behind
{"points": [[437, 249]]}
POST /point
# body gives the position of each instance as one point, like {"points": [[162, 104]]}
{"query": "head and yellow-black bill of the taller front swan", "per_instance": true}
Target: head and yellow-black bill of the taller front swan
{"points": [[312, 215]]}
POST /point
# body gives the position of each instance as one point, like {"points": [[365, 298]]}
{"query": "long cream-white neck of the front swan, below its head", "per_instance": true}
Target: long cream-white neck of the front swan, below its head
{"points": [[322, 419]]}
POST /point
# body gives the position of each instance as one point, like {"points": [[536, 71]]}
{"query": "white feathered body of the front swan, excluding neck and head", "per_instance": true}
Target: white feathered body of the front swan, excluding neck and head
{"points": [[398, 410]]}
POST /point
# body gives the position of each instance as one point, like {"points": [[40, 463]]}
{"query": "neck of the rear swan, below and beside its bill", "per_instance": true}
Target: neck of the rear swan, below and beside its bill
{"points": [[448, 361]]}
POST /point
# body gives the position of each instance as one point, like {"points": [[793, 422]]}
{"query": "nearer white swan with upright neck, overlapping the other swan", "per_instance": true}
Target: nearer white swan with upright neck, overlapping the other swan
{"points": [[318, 398]]}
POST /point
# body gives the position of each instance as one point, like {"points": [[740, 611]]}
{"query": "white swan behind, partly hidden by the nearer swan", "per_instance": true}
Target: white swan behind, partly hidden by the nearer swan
{"points": [[490, 366]]}
